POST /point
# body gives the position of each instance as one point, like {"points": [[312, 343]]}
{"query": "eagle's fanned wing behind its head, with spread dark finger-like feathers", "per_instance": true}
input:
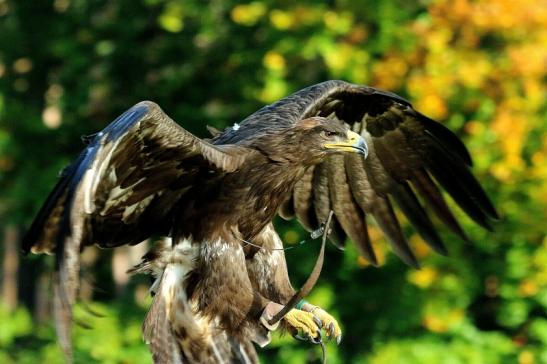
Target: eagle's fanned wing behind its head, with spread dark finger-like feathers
{"points": [[409, 155]]}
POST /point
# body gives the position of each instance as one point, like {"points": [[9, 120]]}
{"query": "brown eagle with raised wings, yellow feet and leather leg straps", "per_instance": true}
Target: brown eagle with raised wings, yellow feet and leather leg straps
{"points": [[219, 266]]}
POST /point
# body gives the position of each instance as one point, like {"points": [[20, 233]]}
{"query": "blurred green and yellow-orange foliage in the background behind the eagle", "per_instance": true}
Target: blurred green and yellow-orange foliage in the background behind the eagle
{"points": [[68, 67]]}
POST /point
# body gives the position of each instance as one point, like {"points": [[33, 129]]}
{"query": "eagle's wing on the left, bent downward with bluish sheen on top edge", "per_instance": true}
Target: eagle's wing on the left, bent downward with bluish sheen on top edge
{"points": [[121, 189]]}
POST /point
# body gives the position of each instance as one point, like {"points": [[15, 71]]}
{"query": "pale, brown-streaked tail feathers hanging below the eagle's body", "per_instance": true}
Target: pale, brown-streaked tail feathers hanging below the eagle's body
{"points": [[174, 329]]}
